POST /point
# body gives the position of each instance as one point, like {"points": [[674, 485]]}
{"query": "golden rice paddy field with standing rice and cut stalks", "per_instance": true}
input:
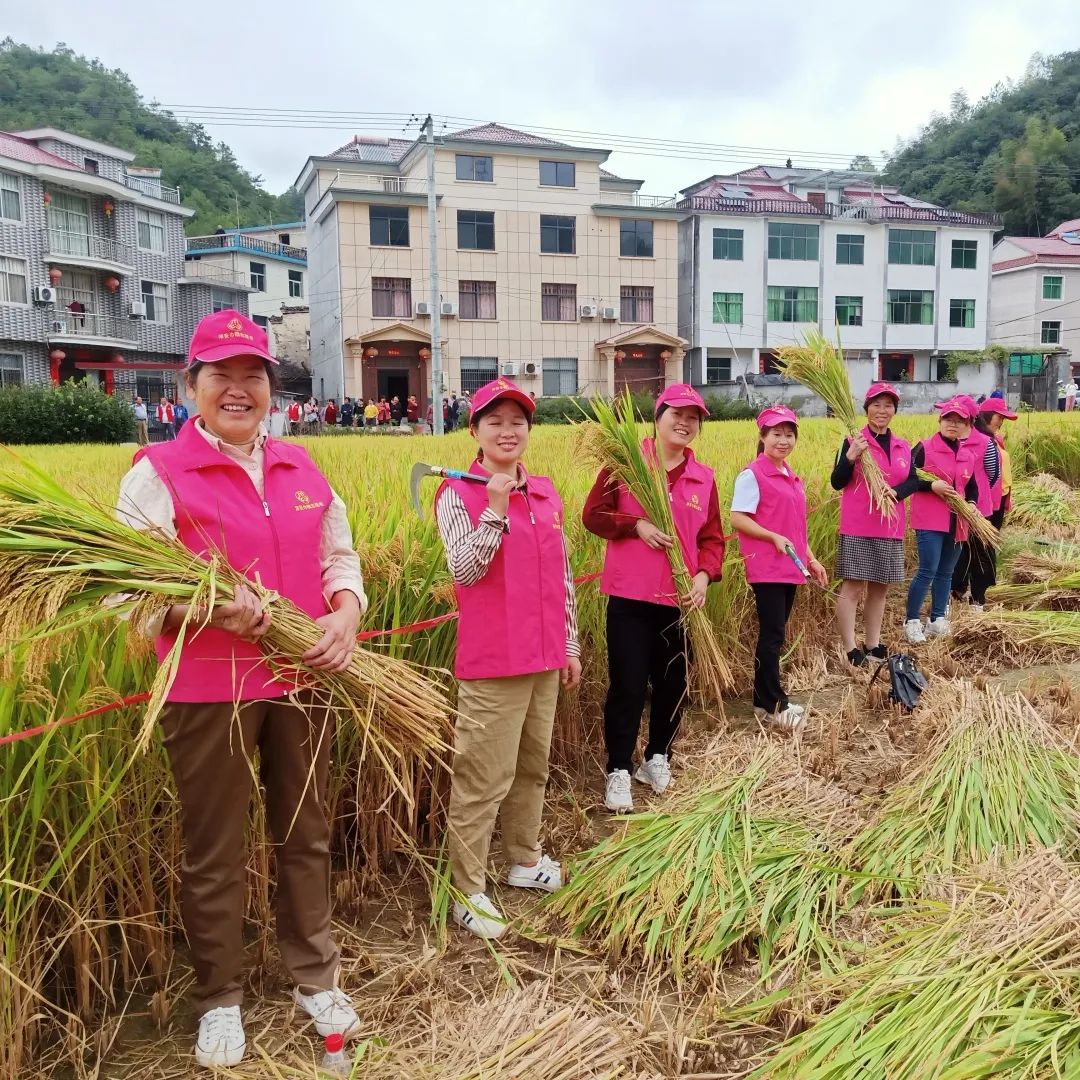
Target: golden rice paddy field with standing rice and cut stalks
{"points": [[842, 904]]}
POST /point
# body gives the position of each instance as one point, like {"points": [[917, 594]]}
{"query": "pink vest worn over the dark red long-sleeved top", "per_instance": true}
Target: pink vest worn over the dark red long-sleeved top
{"points": [[634, 571]]}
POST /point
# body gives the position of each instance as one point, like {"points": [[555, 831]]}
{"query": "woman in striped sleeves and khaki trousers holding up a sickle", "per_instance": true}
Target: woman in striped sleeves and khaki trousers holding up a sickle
{"points": [[518, 641]]}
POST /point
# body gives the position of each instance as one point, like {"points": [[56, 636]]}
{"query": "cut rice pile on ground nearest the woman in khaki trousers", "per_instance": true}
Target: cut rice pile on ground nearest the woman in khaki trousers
{"points": [[741, 863]]}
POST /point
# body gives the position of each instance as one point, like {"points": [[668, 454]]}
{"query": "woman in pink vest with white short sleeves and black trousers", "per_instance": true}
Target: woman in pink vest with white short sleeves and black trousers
{"points": [[769, 514]]}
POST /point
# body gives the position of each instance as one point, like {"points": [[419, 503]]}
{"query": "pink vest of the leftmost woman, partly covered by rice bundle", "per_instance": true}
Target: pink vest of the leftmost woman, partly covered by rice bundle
{"points": [[217, 507]]}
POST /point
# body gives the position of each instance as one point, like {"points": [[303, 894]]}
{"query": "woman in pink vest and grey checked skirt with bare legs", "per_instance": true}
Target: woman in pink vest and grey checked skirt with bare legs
{"points": [[872, 545]]}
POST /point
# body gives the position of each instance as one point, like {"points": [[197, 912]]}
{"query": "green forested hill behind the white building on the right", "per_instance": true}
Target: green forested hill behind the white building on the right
{"points": [[1017, 152]]}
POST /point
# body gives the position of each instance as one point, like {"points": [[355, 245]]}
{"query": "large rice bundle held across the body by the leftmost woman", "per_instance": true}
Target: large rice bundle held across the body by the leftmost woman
{"points": [[63, 559]]}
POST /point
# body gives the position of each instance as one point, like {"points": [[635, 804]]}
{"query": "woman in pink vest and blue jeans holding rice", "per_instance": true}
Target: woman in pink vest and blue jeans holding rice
{"points": [[938, 532]]}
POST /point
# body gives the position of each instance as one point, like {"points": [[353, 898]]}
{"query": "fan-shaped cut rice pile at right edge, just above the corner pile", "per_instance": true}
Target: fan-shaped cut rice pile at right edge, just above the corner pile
{"points": [[997, 780]]}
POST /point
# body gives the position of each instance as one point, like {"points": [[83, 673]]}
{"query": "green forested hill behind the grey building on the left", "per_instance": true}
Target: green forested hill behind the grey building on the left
{"points": [[61, 89]]}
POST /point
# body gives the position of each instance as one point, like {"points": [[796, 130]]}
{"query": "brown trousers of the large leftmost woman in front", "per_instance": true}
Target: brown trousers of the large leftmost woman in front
{"points": [[211, 754]]}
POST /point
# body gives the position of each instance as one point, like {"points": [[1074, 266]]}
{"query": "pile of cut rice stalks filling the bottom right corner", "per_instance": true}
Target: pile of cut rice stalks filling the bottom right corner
{"points": [[981, 987]]}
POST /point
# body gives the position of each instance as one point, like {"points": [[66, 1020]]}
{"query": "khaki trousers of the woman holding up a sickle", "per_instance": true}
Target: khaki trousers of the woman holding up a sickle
{"points": [[501, 769]]}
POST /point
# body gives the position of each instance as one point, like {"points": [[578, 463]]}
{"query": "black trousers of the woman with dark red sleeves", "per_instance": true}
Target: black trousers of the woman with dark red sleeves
{"points": [[646, 647]]}
